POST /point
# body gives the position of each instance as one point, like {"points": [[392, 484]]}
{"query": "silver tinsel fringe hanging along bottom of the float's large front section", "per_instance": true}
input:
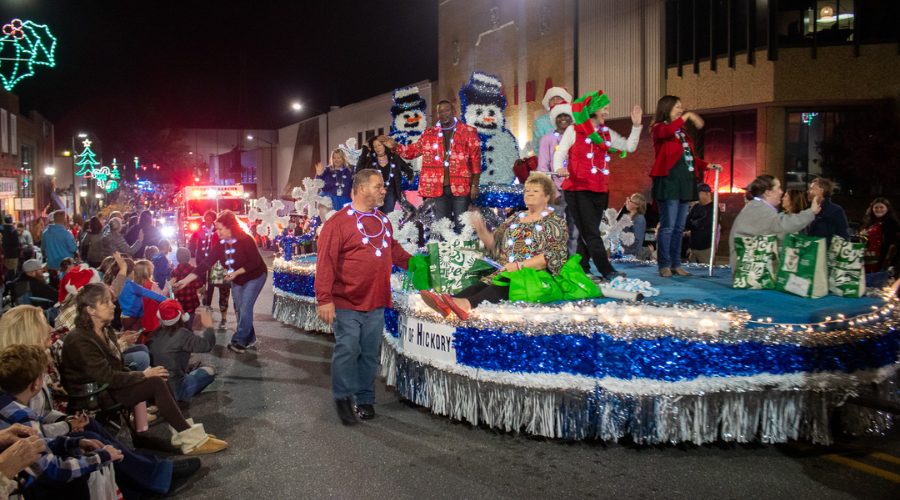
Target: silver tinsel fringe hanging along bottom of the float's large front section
{"points": [[769, 416]]}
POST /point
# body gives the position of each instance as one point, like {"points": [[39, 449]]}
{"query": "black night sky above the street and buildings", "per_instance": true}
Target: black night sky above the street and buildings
{"points": [[126, 64]]}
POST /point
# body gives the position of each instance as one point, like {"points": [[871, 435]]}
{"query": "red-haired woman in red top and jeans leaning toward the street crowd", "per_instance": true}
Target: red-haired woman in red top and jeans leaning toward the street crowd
{"points": [[238, 253]]}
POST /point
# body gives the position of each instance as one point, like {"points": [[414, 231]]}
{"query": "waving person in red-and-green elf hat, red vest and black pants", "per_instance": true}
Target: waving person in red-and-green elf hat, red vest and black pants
{"points": [[587, 146]]}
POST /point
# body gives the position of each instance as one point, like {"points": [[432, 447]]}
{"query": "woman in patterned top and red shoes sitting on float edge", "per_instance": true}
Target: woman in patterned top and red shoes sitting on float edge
{"points": [[534, 238]]}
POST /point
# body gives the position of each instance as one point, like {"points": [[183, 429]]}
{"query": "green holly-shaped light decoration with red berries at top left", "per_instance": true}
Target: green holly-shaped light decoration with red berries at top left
{"points": [[23, 46]]}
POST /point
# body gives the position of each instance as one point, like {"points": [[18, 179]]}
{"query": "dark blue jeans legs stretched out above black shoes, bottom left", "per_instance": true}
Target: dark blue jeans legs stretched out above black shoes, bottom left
{"points": [[147, 470]]}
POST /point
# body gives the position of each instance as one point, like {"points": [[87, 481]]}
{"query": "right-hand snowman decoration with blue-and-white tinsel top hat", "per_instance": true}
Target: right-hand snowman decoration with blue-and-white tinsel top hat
{"points": [[482, 108]]}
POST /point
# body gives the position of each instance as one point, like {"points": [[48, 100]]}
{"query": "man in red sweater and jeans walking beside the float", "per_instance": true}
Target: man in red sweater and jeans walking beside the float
{"points": [[353, 286]]}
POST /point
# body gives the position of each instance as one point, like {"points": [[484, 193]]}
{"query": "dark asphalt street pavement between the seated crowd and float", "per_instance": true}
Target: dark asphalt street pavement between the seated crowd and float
{"points": [[285, 441]]}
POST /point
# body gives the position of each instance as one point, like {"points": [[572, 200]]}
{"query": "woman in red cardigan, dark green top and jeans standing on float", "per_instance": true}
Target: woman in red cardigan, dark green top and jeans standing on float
{"points": [[676, 173]]}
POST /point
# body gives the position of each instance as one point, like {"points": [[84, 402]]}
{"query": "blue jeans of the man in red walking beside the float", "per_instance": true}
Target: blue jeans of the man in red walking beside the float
{"points": [[357, 336]]}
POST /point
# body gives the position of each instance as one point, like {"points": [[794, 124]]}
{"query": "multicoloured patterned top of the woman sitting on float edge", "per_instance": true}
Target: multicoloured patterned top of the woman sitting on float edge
{"points": [[516, 241]]}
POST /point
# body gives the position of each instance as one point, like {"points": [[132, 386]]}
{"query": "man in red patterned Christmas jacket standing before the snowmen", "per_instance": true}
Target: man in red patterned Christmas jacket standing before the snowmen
{"points": [[451, 162]]}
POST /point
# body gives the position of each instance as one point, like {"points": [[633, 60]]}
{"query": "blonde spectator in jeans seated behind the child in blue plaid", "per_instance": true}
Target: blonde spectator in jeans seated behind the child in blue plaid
{"points": [[26, 326]]}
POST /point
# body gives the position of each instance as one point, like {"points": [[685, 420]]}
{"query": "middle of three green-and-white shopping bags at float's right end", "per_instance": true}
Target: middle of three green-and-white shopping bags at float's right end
{"points": [[803, 268]]}
